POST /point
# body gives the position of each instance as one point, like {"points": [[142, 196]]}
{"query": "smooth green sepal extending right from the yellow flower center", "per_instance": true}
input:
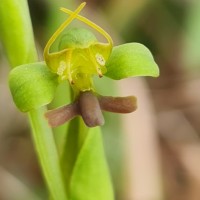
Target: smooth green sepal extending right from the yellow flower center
{"points": [[131, 59]]}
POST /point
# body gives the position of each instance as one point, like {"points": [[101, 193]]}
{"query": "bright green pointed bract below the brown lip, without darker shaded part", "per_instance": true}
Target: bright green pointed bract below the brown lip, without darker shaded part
{"points": [[90, 177]]}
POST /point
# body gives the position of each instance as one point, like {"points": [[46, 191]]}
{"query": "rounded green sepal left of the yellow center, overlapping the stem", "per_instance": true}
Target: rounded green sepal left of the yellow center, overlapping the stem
{"points": [[32, 86]]}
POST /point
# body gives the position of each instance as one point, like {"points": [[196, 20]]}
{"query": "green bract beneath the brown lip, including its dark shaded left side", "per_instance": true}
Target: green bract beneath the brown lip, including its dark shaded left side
{"points": [[84, 164]]}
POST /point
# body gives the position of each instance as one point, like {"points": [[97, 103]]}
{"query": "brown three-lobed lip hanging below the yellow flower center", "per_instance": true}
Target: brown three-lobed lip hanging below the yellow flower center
{"points": [[90, 107]]}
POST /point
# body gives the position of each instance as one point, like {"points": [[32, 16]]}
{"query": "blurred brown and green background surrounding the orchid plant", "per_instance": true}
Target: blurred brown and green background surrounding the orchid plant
{"points": [[157, 154]]}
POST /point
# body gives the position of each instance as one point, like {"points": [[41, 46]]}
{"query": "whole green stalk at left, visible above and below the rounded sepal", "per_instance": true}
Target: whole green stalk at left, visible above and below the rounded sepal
{"points": [[17, 37]]}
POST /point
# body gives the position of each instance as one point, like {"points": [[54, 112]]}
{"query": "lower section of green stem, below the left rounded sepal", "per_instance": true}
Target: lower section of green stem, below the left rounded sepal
{"points": [[47, 153]]}
